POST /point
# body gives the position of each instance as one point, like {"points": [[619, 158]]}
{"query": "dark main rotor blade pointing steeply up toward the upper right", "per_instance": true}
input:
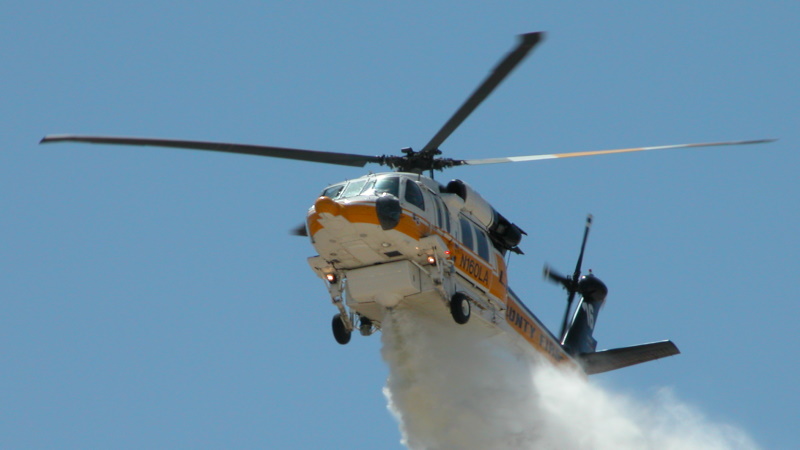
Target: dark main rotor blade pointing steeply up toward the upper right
{"points": [[527, 42]]}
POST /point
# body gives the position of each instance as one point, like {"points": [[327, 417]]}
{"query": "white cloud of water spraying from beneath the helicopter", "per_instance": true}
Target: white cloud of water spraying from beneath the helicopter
{"points": [[456, 387]]}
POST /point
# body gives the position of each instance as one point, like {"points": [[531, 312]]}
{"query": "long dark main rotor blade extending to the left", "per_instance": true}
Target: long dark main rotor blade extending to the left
{"points": [[342, 159]]}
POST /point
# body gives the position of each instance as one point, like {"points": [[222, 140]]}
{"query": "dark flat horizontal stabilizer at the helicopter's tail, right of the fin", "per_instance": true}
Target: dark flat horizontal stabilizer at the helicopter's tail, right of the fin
{"points": [[606, 360]]}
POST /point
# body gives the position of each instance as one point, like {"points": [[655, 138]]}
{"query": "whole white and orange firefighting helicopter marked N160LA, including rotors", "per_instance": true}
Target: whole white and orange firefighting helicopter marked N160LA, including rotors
{"points": [[400, 238]]}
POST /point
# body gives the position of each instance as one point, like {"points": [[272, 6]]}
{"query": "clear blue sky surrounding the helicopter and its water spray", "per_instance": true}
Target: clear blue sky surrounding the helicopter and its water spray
{"points": [[153, 298]]}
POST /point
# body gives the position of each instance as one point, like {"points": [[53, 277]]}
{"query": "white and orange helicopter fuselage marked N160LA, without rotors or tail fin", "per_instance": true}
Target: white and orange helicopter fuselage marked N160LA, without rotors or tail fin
{"points": [[396, 237]]}
